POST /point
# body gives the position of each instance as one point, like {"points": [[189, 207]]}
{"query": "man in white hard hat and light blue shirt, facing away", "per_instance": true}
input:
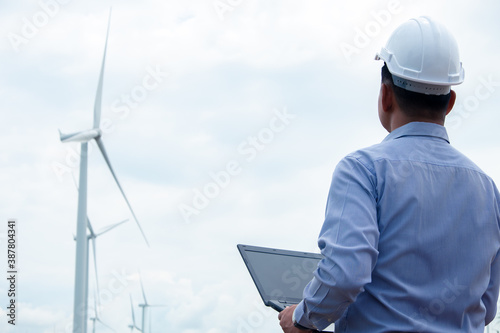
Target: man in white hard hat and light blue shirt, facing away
{"points": [[411, 234]]}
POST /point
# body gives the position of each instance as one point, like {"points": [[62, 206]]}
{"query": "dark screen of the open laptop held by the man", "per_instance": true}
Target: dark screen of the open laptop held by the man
{"points": [[280, 274]]}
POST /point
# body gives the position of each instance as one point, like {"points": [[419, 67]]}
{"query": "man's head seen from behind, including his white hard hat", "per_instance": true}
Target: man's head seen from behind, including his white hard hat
{"points": [[421, 62]]}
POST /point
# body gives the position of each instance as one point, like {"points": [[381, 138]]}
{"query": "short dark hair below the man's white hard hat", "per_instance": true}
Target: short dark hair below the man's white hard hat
{"points": [[415, 104]]}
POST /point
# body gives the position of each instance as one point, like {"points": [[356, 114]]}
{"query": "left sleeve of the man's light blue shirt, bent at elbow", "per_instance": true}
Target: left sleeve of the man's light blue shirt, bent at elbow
{"points": [[348, 240]]}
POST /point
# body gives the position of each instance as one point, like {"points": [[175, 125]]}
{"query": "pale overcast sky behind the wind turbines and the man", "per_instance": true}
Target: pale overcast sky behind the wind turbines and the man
{"points": [[223, 120]]}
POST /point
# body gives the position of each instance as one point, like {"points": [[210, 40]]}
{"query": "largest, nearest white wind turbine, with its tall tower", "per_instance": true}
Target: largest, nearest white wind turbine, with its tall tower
{"points": [[81, 263]]}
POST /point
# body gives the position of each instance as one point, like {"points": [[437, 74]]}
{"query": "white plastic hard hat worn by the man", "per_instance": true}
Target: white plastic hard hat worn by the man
{"points": [[422, 56]]}
